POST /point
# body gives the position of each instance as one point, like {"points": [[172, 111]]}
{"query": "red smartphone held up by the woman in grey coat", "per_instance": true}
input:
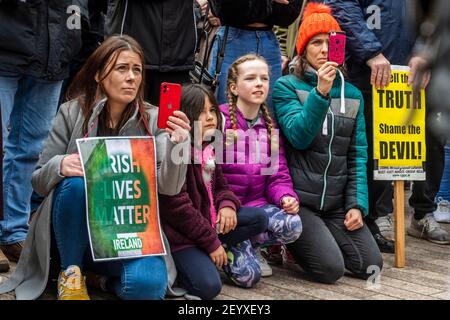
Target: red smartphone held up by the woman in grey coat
{"points": [[169, 101]]}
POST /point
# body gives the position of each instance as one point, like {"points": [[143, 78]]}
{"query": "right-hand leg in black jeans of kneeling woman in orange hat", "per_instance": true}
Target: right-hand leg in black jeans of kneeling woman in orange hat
{"points": [[358, 247]]}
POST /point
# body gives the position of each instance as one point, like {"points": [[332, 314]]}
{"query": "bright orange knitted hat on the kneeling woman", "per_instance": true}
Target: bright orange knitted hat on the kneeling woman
{"points": [[317, 19]]}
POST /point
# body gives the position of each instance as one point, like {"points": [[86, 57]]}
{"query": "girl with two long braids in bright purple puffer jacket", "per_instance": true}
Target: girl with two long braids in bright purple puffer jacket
{"points": [[256, 170]]}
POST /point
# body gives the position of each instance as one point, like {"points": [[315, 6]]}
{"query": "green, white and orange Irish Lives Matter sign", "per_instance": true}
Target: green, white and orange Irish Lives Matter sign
{"points": [[121, 197]]}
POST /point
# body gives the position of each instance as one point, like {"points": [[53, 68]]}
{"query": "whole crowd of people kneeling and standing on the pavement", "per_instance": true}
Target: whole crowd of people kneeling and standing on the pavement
{"points": [[293, 175]]}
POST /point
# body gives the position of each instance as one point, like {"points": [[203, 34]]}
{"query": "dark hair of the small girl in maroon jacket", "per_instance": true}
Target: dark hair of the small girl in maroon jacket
{"points": [[193, 103]]}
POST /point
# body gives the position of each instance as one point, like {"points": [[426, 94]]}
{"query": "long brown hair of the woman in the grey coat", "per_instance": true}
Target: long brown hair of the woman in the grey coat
{"points": [[89, 92]]}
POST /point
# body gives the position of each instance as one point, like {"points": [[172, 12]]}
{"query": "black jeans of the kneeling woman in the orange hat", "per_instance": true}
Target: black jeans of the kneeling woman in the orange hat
{"points": [[326, 248]]}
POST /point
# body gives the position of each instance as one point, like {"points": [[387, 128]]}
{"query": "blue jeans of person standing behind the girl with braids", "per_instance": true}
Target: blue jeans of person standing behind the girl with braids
{"points": [[241, 42]]}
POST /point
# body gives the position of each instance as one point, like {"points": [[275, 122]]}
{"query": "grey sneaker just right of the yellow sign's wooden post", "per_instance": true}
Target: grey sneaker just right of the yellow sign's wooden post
{"points": [[428, 228]]}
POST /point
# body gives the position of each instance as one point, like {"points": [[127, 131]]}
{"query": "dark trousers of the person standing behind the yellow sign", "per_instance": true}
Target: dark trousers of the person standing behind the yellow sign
{"points": [[423, 193]]}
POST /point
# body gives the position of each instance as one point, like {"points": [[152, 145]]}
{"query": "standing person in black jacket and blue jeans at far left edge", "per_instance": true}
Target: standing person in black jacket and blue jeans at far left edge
{"points": [[38, 39]]}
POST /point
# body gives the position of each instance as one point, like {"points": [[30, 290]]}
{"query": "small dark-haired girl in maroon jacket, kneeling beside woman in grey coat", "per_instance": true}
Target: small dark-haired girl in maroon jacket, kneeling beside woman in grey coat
{"points": [[205, 224]]}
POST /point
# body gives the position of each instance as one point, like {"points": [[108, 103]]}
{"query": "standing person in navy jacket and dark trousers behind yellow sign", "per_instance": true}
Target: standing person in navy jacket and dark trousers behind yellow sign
{"points": [[378, 37]]}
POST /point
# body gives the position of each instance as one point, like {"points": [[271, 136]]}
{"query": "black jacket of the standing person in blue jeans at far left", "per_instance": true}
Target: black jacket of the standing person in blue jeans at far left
{"points": [[35, 39]]}
